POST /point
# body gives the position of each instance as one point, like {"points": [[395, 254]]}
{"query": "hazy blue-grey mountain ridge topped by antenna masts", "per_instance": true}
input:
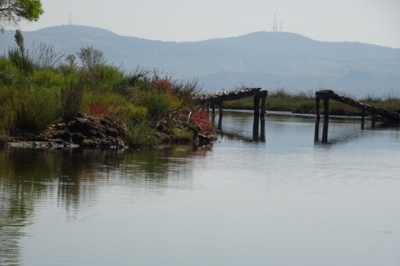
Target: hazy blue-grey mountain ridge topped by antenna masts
{"points": [[261, 59]]}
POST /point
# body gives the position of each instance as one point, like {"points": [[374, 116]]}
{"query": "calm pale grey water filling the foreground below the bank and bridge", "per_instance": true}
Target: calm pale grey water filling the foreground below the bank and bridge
{"points": [[285, 201]]}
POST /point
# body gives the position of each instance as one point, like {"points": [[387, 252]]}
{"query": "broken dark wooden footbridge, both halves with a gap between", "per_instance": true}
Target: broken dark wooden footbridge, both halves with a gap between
{"points": [[218, 98]]}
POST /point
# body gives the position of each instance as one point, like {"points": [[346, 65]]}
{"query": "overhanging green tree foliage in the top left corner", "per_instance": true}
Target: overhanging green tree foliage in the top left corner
{"points": [[13, 11]]}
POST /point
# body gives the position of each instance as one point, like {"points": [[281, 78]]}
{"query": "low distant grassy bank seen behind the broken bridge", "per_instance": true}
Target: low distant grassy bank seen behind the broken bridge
{"points": [[280, 100]]}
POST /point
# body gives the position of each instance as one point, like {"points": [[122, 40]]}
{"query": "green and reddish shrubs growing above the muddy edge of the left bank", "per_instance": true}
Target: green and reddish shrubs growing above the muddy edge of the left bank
{"points": [[41, 86]]}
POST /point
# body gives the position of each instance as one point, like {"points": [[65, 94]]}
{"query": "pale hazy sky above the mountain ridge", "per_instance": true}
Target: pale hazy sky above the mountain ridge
{"points": [[368, 21]]}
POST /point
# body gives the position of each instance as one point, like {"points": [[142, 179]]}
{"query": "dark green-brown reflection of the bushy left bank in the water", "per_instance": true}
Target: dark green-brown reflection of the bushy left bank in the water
{"points": [[28, 176]]}
